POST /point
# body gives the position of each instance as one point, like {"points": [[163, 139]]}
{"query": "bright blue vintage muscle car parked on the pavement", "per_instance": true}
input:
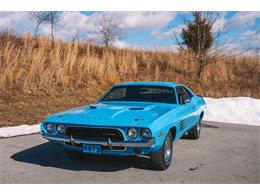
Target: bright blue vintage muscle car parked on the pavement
{"points": [[136, 118]]}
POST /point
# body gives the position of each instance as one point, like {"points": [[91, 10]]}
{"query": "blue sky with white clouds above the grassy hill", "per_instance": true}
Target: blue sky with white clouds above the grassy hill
{"points": [[142, 29]]}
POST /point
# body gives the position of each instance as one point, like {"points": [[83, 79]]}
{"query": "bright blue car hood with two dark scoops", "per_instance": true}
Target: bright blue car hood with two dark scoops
{"points": [[113, 114]]}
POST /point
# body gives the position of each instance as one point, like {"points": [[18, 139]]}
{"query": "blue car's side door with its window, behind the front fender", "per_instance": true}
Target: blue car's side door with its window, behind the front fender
{"points": [[186, 115]]}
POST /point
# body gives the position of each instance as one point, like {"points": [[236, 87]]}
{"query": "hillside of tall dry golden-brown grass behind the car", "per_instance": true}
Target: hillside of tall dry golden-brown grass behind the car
{"points": [[38, 77]]}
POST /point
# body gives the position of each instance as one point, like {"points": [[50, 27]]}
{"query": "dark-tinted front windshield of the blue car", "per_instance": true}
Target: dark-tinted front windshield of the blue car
{"points": [[141, 94]]}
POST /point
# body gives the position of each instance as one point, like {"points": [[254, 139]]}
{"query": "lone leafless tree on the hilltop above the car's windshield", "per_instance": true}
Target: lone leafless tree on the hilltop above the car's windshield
{"points": [[109, 29]]}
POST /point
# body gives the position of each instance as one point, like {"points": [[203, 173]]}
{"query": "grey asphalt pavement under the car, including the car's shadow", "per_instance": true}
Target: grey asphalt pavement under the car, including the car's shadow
{"points": [[225, 153]]}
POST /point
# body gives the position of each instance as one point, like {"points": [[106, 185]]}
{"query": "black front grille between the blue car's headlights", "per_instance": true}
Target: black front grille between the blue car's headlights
{"points": [[97, 133]]}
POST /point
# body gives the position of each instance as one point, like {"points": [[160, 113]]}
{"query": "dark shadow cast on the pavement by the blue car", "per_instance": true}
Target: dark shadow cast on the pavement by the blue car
{"points": [[50, 155]]}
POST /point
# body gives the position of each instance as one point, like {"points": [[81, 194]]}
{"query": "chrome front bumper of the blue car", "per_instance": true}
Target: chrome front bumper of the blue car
{"points": [[108, 143]]}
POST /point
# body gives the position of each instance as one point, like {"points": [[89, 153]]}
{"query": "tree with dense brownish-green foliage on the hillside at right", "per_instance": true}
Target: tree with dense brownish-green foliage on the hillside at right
{"points": [[199, 40]]}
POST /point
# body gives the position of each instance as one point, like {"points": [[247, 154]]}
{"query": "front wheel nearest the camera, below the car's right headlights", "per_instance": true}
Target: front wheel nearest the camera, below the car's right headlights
{"points": [[161, 160]]}
